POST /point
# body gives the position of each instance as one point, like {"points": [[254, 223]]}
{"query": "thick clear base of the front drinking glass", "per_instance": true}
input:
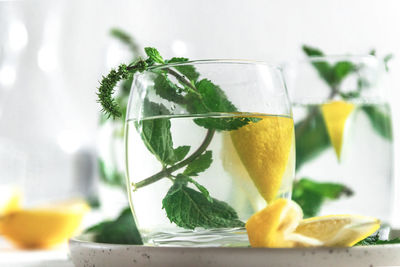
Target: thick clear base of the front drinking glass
{"points": [[226, 237]]}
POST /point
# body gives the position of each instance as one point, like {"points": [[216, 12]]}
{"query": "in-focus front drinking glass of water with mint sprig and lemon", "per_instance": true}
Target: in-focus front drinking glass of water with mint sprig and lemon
{"points": [[208, 144]]}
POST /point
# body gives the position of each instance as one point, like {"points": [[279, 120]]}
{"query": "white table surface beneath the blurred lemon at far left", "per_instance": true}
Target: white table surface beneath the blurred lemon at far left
{"points": [[12, 257]]}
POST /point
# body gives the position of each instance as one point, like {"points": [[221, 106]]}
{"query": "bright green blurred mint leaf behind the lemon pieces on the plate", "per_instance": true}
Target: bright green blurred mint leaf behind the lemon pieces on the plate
{"points": [[310, 195]]}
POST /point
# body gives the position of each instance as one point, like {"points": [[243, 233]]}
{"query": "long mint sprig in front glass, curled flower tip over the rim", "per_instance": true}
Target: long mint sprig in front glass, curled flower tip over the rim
{"points": [[198, 209]]}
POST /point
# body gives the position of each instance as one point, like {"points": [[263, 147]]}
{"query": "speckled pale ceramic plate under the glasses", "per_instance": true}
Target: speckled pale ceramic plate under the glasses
{"points": [[85, 254]]}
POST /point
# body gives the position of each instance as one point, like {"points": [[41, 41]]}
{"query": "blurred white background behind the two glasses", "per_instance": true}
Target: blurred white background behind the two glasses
{"points": [[53, 53]]}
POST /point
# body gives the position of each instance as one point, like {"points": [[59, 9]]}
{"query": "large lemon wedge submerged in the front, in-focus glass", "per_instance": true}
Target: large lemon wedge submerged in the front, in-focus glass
{"points": [[264, 148]]}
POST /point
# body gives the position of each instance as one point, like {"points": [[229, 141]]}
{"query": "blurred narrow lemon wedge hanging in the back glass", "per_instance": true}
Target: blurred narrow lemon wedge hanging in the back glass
{"points": [[335, 115]]}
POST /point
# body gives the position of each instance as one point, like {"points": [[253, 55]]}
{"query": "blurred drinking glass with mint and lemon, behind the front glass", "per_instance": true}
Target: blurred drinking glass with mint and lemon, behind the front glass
{"points": [[343, 131]]}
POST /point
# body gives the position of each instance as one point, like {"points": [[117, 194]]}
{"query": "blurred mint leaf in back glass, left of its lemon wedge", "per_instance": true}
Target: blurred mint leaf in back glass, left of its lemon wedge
{"points": [[311, 137]]}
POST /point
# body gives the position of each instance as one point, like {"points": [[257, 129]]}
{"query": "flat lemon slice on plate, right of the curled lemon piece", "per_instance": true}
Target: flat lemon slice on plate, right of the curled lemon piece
{"points": [[338, 230]]}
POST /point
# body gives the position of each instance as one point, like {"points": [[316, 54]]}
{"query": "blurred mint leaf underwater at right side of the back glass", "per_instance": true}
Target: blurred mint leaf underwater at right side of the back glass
{"points": [[380, 120]]}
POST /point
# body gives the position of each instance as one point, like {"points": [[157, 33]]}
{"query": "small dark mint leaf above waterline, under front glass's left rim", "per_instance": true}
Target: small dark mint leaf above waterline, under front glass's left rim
{"points": [[167, 89]]}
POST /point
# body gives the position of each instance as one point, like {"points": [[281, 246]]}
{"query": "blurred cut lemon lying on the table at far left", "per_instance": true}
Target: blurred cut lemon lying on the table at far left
{"points": [[44, 226]]}
